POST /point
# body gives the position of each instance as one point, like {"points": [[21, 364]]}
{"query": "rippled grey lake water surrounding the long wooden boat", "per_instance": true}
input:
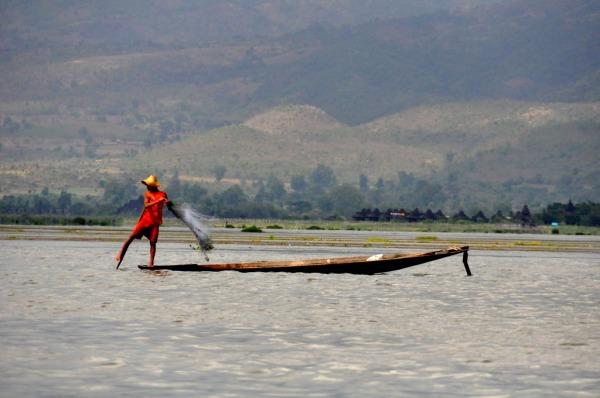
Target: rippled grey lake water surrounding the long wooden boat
{"points": [[526, 324]]}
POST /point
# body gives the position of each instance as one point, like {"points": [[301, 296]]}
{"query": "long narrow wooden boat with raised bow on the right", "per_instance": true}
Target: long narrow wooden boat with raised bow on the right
{"points": [[367, 265]]}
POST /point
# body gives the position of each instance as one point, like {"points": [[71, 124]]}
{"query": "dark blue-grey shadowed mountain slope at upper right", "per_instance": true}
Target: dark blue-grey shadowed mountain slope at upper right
{"points": [[519, 50]]}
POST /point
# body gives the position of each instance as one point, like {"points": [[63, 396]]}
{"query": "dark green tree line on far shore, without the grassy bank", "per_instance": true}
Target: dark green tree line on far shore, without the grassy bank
{"points": [[316, 195]]}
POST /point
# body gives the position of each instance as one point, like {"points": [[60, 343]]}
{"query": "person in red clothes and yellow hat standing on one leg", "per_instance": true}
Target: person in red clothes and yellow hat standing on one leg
{"points": [[149, 221]]}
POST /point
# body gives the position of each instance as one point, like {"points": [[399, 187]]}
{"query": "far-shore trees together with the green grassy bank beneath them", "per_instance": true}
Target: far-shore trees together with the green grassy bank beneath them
{"points": [[317, 196]]}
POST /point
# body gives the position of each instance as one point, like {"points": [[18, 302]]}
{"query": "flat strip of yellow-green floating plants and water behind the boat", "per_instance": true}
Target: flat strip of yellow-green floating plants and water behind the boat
{"points": [[332, 238]]}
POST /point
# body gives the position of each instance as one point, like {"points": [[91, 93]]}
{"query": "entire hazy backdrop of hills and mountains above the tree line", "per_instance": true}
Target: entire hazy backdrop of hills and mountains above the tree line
{"points": [[498, 98]]}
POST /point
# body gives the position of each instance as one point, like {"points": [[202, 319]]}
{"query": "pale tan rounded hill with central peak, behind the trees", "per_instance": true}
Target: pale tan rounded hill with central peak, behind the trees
{"points": [[282, 149]]}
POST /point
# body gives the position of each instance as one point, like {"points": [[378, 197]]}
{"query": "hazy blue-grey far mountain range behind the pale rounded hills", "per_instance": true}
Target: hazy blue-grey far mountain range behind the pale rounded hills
{"points": [[530, 50]]}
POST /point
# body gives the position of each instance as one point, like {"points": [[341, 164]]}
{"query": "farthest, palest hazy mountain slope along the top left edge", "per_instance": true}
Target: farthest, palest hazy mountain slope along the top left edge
{"points": [[105, 26]]}
